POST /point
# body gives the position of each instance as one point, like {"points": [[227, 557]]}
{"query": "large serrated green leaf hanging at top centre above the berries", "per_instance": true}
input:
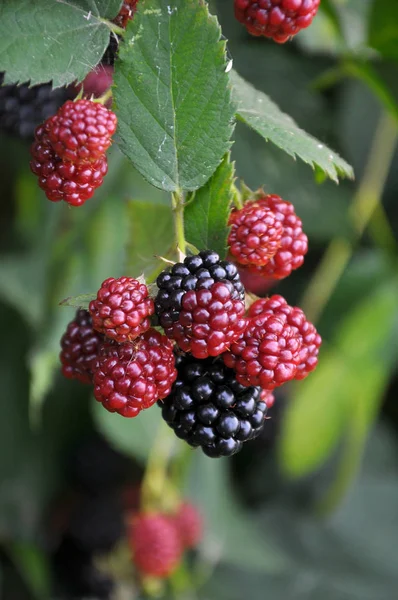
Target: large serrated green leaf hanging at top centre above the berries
{"points": [[172, 94]]}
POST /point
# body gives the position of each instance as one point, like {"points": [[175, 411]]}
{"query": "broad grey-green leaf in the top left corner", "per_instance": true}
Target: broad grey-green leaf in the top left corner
{"points": [[43, 40]]}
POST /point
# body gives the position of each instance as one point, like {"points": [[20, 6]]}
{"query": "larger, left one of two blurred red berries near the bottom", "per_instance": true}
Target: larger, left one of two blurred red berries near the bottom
{"points": [[156, 544]]}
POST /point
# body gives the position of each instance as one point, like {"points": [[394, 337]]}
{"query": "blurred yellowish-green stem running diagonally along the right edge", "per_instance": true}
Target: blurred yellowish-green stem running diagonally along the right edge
{"points": [[365, 203]]}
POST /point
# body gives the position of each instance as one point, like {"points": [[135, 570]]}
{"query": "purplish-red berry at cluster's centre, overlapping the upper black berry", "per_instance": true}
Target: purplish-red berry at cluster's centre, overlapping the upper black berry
{"points": [[209, 321]]}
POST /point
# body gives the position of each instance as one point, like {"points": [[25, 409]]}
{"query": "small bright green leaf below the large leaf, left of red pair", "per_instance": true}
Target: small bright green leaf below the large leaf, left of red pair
{"points": [[207, 211]]}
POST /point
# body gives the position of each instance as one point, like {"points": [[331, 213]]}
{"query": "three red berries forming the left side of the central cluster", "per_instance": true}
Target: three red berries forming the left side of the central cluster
{"points": [[113, 346]]}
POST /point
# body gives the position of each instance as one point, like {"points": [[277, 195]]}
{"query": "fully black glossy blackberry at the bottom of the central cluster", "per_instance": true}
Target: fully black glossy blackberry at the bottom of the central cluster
{"points": [[210, 409]]}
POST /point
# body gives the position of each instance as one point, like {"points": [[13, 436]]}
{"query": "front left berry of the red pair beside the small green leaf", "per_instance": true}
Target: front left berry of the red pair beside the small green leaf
{"points": [[255, 234]]}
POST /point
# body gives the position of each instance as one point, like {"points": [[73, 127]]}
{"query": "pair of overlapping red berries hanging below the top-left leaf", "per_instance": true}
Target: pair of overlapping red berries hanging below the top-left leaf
{"points": [[68, 154]]}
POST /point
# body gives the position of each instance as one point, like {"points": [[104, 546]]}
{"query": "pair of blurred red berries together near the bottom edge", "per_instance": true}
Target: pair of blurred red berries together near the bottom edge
{"points": [[158, 540]]}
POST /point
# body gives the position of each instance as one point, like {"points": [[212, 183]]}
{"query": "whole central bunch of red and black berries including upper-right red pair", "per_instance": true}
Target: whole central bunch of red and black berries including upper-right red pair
{"points": [[215, 367]]}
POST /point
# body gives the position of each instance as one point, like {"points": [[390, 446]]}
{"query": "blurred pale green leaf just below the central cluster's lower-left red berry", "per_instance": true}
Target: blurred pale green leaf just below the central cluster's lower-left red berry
{"points": [[134, 437]]}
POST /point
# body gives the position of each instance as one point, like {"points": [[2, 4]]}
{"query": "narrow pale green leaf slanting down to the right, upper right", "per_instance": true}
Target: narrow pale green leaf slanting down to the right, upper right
{"points": [[257, 111]]}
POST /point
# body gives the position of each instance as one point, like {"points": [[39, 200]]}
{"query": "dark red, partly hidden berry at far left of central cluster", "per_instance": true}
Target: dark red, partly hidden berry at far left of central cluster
{"points": [[79, 347]]}
